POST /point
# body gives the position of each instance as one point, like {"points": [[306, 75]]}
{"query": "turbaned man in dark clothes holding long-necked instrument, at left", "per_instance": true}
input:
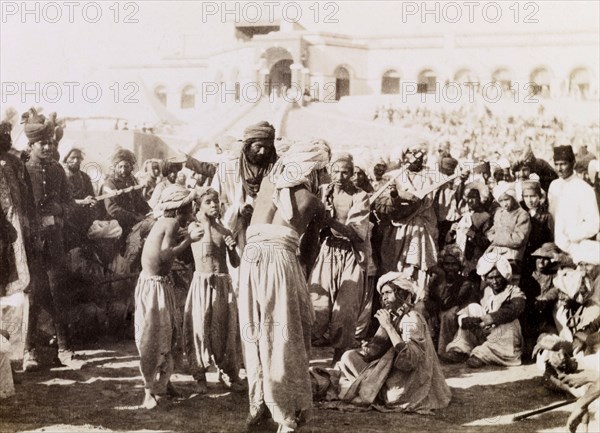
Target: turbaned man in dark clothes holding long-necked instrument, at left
{"points": [[129, 208]]}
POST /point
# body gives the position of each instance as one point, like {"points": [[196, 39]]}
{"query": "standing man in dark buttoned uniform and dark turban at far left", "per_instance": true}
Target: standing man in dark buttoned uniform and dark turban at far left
{"points": [[53, 203]]}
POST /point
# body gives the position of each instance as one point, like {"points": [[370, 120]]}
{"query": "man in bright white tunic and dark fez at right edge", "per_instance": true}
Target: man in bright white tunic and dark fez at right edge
{"points": [[574, 209]]}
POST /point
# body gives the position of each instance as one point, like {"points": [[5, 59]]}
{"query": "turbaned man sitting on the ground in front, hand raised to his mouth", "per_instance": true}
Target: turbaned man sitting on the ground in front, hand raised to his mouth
{"points": [[399, 364]]}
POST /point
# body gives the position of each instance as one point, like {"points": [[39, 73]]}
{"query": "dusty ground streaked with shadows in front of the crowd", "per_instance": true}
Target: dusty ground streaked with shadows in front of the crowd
{"points": [[104, 397]]}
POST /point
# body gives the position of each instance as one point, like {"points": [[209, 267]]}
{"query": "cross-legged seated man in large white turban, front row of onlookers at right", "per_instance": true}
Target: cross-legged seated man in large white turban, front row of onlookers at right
{"points": [[490, 332]]}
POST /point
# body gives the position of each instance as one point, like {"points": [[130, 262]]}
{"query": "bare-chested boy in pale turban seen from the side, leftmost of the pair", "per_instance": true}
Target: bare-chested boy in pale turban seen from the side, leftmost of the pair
{"points": [[155, 309]]}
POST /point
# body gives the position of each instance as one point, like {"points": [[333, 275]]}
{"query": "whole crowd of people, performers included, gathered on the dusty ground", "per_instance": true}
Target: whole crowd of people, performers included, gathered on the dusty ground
{"points": [[290, 245]]}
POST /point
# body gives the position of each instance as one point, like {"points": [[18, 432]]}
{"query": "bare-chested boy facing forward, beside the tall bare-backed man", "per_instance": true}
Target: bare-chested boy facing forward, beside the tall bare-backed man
{"points": [[210, 325]]}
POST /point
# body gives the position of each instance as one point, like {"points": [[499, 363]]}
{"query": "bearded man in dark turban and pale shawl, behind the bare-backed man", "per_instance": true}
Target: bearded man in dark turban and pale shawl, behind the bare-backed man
{"points": [[237, 181]]}
